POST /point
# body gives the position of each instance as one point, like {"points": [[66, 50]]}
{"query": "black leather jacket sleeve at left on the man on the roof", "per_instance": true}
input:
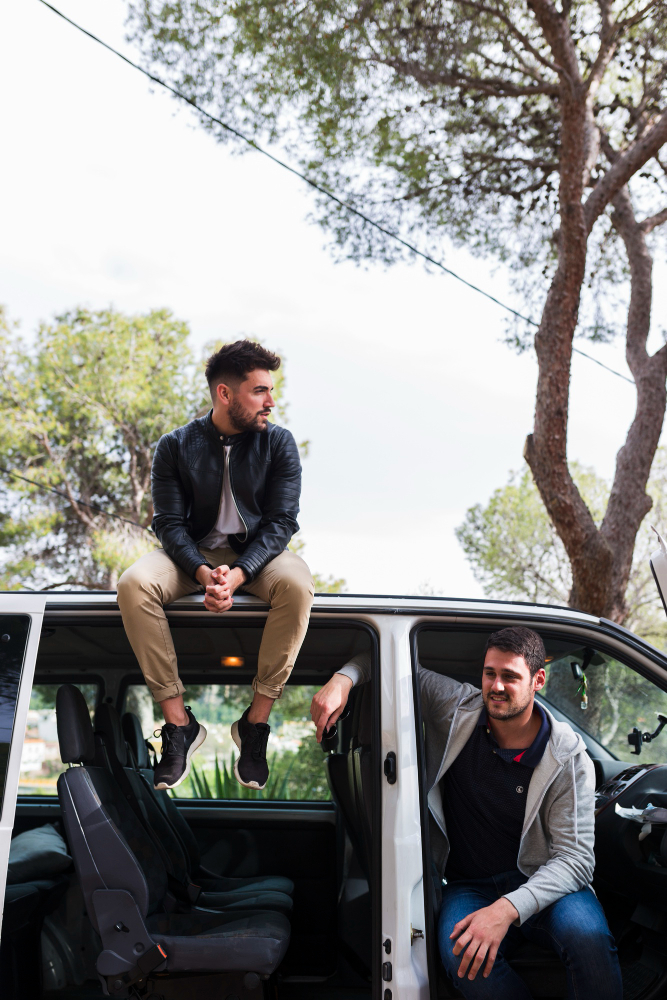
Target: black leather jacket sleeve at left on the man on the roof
{"points": [[169, 508]]}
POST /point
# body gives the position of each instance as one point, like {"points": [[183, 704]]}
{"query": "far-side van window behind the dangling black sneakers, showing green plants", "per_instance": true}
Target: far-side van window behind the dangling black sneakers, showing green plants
{"points": [[296, 761]]}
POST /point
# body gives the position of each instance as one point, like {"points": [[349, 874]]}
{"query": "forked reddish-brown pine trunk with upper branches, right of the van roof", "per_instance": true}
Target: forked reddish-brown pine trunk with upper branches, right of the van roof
{"points": [[600, 559]]}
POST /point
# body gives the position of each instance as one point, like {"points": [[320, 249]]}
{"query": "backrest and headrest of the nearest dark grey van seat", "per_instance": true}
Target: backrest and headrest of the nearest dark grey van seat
{"points": [[109, 846]]}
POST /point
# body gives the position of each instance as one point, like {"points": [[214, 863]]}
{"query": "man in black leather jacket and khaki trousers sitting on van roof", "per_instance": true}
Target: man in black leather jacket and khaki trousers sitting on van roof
{"points": [[225, 491]]}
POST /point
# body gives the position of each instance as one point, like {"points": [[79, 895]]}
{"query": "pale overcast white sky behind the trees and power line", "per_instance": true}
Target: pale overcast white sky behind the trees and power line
{"points": [[415, 408]]}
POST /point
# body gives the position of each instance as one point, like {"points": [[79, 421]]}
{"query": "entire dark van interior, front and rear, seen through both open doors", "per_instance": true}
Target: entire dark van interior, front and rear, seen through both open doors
{"points": [[276, 894]]}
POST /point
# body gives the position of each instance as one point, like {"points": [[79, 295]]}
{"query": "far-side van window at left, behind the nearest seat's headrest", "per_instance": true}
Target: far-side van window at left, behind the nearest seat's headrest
{"points": [[40, 759]]}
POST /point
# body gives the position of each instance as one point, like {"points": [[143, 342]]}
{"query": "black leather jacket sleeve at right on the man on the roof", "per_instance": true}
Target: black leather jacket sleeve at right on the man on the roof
{"points": [[280, 508]]}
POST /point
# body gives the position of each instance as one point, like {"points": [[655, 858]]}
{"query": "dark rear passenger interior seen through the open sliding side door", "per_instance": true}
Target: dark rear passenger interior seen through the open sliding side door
{"points": [[252, 894]]}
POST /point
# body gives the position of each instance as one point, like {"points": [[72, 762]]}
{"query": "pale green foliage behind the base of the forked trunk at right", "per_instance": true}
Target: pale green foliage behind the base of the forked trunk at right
{"points": [[516, 554]]}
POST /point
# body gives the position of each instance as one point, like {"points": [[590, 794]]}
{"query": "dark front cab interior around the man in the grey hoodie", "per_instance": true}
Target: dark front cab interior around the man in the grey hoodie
{"points": [[629, 879]]}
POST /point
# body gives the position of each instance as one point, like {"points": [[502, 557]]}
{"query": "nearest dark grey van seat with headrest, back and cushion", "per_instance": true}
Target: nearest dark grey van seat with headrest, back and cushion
{"points": [[125, 884]]}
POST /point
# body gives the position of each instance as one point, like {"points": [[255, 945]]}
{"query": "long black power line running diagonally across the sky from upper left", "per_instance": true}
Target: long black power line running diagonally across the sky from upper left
{"points": [[317, 187]]}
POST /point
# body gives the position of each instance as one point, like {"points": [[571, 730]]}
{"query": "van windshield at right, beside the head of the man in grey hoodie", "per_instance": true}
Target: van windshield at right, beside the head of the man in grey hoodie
{"points": [[606, 699]]}
